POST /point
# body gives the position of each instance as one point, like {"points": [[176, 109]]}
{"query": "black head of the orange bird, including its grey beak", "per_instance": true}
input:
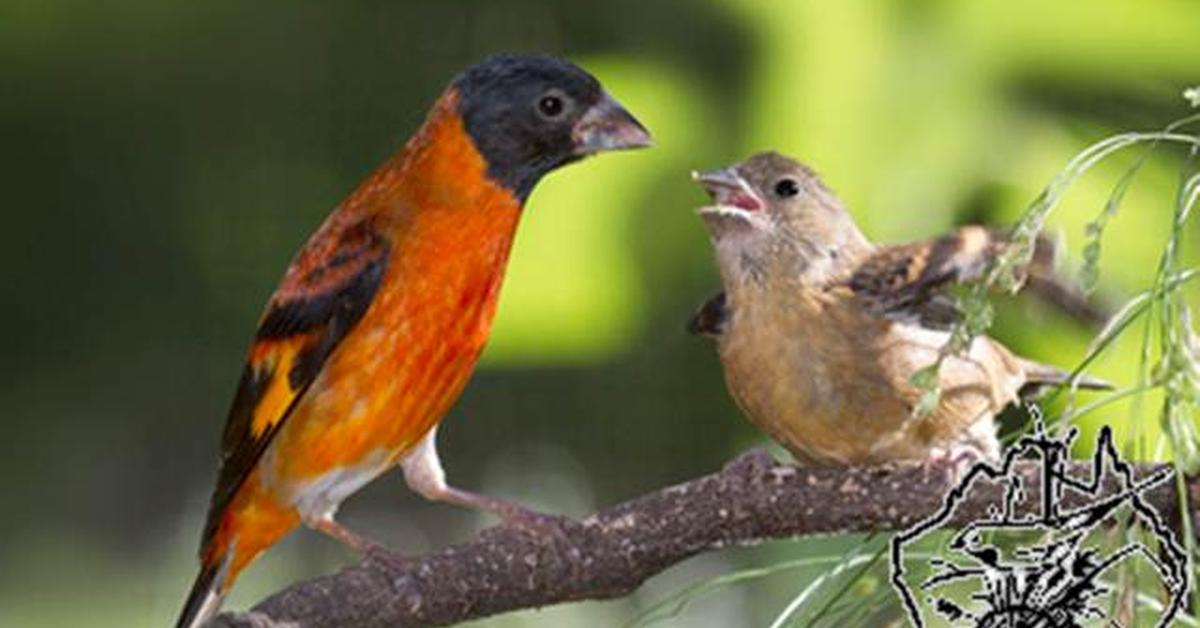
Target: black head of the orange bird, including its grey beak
{"points": [[529, 116]]}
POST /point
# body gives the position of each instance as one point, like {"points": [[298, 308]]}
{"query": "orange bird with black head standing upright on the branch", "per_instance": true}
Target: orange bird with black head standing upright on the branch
{"points": [[381, 319]]}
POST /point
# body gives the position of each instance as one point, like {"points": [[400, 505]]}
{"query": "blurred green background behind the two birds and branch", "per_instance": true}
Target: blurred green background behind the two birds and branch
{"points": [[163, 162]]}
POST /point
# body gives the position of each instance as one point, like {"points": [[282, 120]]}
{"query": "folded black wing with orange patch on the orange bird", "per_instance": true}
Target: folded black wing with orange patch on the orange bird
{"points": [[326, 291]]}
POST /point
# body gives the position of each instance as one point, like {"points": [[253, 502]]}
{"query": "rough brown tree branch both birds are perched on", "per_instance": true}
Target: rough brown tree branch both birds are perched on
{"points": [[611, 554]]}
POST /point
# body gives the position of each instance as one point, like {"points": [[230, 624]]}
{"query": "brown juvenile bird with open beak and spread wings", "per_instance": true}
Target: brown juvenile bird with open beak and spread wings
{"points": [[821, 332]]}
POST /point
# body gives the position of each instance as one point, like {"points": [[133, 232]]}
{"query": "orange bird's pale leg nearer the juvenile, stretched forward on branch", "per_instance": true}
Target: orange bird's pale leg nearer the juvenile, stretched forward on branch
{"points": [[424, 475]]}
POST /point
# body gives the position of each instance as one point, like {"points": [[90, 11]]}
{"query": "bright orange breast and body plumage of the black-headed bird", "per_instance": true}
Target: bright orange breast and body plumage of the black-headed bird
{"points": [[405, 364]]}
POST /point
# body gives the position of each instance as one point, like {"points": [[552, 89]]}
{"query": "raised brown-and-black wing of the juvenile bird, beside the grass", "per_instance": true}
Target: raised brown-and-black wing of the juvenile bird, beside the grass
{"points": [[903, 283]]}
